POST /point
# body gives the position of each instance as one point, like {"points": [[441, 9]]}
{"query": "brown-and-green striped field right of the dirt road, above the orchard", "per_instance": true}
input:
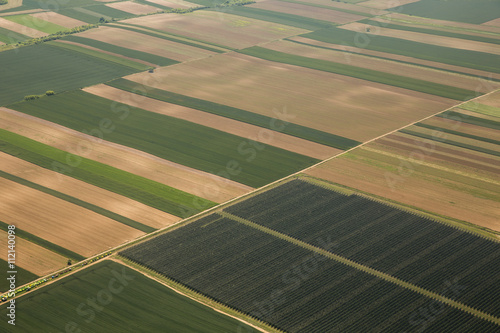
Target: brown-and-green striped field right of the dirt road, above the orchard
{"points": [[447, 164]]}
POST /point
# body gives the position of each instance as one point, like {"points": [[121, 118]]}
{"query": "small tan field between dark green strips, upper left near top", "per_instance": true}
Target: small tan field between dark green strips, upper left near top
{"points": [[141, 42]]}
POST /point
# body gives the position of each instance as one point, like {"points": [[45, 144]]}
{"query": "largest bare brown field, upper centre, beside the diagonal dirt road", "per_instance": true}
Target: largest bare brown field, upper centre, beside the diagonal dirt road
{"points": [[328, 102]]}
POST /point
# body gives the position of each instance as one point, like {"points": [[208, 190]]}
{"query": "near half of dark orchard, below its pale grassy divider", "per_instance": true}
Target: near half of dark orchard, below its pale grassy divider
{"points": [[274, 280]]}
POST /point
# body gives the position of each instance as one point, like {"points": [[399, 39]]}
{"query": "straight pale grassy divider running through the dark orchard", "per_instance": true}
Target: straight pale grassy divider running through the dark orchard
{"points": [[365, 269]]}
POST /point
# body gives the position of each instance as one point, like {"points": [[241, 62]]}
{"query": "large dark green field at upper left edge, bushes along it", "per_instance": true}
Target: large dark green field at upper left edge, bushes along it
{"points": [[38, 68]]}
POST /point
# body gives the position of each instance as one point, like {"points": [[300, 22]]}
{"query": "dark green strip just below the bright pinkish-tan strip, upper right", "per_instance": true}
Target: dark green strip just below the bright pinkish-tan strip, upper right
{"points": [[465, 58]]}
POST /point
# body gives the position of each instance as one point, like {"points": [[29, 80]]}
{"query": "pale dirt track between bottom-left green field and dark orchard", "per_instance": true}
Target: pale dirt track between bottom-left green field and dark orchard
{"points": [[180, 289]]}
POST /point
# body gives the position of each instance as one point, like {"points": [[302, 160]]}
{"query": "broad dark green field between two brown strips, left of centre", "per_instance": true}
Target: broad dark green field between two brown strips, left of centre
{"points": [[177, 140]]}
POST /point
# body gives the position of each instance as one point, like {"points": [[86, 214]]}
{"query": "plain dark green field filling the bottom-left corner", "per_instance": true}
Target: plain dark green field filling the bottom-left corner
{"points": [[134, 303]]}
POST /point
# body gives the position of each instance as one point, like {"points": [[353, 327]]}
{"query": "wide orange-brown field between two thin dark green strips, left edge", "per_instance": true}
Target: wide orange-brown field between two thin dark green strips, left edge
{"points": [[78, 229]]}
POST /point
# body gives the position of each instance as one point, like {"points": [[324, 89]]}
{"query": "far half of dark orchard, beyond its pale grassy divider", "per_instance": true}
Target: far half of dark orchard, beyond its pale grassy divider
{"points": [[426, 253]]}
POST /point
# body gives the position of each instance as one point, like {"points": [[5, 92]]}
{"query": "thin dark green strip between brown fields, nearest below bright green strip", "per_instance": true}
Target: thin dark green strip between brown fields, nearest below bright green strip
{"points": [[81, 203]]}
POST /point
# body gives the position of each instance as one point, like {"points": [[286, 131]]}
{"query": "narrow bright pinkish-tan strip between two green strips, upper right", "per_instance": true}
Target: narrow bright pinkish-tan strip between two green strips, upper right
{"points": [[425, 38]]}
